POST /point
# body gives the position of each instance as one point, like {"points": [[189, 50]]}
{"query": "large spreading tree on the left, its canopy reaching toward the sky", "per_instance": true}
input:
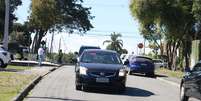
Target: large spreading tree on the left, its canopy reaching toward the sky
{"points": [[58, 15]]}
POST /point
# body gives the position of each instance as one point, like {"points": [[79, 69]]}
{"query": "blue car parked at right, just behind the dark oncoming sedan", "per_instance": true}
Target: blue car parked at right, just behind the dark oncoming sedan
{"points": [[141, 64]]}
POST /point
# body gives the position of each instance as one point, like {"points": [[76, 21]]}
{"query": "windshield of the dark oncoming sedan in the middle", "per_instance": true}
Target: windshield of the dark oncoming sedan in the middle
{"points": [[100, 57]]}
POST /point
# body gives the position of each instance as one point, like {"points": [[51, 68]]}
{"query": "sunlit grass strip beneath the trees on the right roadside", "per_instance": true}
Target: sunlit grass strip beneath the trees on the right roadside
{"points": [[163, 71]]}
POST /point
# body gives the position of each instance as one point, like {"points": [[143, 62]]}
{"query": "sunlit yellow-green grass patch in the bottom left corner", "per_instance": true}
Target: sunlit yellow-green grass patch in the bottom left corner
{"points": [[11, 83]]}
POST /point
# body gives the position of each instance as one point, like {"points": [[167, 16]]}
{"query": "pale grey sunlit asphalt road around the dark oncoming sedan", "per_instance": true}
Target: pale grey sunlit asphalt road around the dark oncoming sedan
{"points": [[59, 86]]}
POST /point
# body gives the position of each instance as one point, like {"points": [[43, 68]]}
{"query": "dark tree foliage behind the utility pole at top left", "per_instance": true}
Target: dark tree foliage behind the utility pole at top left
{"points": [[13, 6]]}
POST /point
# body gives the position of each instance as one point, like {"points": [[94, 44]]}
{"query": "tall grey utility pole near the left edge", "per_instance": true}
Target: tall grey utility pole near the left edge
{"points": [[6, 26]]}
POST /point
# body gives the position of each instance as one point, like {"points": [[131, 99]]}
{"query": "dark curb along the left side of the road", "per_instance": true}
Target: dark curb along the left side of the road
{"points": [[30, 86]]}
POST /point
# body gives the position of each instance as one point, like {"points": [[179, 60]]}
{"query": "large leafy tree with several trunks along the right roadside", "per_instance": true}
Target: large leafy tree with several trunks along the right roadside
{"points": [[171, 18]]}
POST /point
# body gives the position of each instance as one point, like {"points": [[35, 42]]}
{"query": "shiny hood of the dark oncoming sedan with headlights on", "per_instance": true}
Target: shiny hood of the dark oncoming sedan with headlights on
{"points": [[102, 67]]}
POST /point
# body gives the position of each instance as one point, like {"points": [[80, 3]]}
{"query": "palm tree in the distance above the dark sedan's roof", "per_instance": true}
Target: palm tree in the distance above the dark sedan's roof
{"points": [[114, 43]]}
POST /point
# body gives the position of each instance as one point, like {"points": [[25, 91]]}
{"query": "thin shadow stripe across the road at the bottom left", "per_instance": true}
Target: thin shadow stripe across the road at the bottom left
{"points": [[52, 98]]}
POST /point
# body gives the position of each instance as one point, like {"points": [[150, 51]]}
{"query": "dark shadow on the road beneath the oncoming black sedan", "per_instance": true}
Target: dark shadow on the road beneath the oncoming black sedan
{"points": [[130, 91]]}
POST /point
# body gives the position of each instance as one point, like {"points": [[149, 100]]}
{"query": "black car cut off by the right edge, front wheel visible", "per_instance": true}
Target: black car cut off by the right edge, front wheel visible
{"points": [[191, 83]]}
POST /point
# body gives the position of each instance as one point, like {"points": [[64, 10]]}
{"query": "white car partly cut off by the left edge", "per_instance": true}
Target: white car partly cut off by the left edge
{"points": [[5, 58]]}
